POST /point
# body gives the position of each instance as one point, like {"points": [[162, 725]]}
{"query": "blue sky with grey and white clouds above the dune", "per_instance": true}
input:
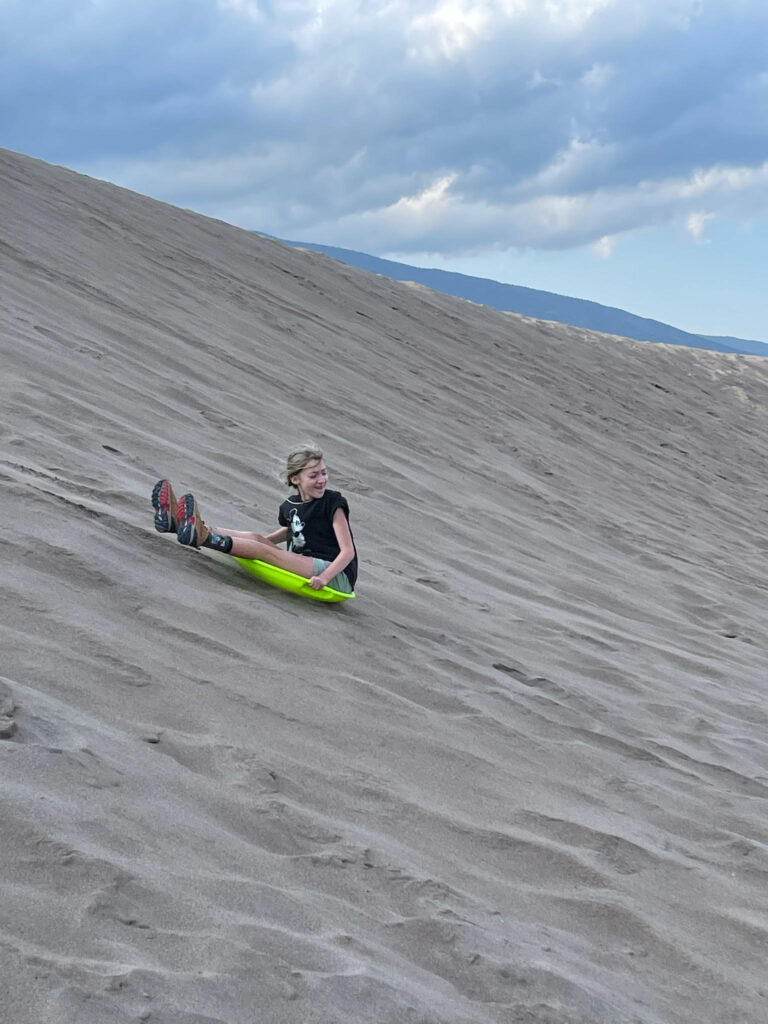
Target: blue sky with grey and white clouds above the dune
{"points": [[614, 150]]}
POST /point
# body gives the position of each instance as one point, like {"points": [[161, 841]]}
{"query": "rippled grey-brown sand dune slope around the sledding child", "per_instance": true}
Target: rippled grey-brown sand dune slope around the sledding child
{"points": [[522, 779]]}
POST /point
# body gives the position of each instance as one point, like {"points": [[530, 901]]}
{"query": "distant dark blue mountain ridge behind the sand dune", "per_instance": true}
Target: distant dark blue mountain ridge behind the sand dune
{"points": [[537, 304]]}
